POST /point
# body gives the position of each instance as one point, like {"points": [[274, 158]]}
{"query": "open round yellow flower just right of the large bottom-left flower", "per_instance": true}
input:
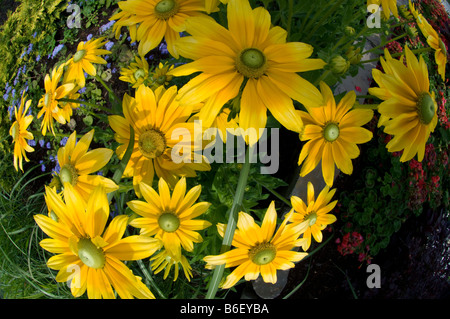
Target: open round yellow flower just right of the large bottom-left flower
{"points": [[170, 218]]}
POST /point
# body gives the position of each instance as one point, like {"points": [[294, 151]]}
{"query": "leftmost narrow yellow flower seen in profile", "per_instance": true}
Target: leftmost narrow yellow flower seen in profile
{"points": [[19, 133]]}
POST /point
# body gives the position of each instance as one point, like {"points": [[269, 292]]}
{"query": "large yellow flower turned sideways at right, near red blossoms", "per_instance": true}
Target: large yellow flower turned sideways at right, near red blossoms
{"points": [[409, 109]]}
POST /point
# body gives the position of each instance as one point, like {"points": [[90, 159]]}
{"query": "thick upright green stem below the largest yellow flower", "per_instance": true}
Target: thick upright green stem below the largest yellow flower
{"points": [[232, 222]]}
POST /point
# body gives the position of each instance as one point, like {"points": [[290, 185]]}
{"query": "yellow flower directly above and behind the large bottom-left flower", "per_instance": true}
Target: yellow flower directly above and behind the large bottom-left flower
{"points": [[77, 165]]}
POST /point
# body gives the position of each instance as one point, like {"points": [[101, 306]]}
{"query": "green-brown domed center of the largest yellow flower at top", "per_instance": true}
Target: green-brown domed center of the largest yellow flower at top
{"points": [[251, 63]]}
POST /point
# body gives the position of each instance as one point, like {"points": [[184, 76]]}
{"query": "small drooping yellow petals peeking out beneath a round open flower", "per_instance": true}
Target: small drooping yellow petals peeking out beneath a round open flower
{"points": [[164, 261]]}
